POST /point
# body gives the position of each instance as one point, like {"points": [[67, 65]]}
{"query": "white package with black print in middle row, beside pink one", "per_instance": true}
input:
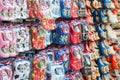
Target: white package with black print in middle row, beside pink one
{"points": [[23, 38]]}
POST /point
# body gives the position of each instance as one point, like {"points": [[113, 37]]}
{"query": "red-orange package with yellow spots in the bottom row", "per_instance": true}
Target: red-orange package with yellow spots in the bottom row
{"points": [[39, 67]]}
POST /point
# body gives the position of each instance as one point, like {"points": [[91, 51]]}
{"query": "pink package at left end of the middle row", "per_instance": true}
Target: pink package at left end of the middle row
{"points": [[8, 41]]}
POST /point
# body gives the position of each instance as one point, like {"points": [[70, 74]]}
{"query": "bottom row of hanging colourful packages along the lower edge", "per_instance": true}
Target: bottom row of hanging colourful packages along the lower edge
{"points": [[61, 63]]}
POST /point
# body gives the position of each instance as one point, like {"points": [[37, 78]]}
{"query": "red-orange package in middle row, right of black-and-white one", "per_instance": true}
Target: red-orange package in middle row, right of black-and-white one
{"points": [[38, 37]]}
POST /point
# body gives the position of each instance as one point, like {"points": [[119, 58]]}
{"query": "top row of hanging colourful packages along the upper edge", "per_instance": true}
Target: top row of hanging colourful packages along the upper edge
{"points": [[23, 9]]}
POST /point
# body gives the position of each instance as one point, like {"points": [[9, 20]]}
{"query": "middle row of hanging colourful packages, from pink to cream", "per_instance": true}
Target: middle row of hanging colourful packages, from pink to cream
{"points": [[24, 37]]}
